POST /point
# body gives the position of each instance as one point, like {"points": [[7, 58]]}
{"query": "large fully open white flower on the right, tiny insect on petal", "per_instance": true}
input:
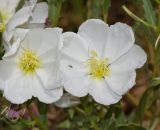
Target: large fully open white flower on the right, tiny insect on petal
{"points": [[100, 60]]}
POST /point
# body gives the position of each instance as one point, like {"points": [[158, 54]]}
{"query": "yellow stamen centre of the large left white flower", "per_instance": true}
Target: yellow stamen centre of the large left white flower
{"points": [[29, 62]]}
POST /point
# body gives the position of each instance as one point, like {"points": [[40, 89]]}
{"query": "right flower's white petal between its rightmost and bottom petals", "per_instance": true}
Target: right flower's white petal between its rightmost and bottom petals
{"points": [[121, 82]]}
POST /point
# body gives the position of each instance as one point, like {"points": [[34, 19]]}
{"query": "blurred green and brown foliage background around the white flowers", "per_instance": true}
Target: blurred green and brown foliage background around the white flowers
{"points": [[138, 110]]}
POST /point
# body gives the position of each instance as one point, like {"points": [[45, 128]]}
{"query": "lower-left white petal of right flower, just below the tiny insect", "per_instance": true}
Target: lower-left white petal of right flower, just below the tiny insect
{"points": [[75, 81]]}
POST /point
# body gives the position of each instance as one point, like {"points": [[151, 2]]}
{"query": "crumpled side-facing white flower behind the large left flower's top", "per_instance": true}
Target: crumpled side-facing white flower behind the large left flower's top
{"points": [[31, 15]]}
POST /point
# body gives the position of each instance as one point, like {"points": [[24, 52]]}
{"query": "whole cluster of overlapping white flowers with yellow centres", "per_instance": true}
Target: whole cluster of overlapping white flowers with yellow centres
{"points": [[98, 60]]}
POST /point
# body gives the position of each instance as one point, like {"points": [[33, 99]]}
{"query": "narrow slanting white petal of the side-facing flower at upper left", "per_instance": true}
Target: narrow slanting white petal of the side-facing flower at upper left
{"points": [[20, 18]]}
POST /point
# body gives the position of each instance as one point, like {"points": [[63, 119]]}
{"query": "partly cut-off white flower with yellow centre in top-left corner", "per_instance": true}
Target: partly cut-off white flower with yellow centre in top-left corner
{"points": [[7, 10]]}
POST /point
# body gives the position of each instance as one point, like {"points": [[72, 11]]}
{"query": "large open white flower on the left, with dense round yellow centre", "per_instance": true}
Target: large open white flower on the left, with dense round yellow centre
{"points": [[33, 70]]}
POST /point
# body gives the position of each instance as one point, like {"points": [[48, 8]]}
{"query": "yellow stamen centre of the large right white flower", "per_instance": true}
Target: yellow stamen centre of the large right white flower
{"points": [[98, 68]]}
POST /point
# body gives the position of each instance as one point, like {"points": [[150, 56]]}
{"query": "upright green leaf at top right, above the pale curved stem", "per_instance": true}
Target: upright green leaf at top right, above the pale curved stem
{"points": [[149, 12]]}
